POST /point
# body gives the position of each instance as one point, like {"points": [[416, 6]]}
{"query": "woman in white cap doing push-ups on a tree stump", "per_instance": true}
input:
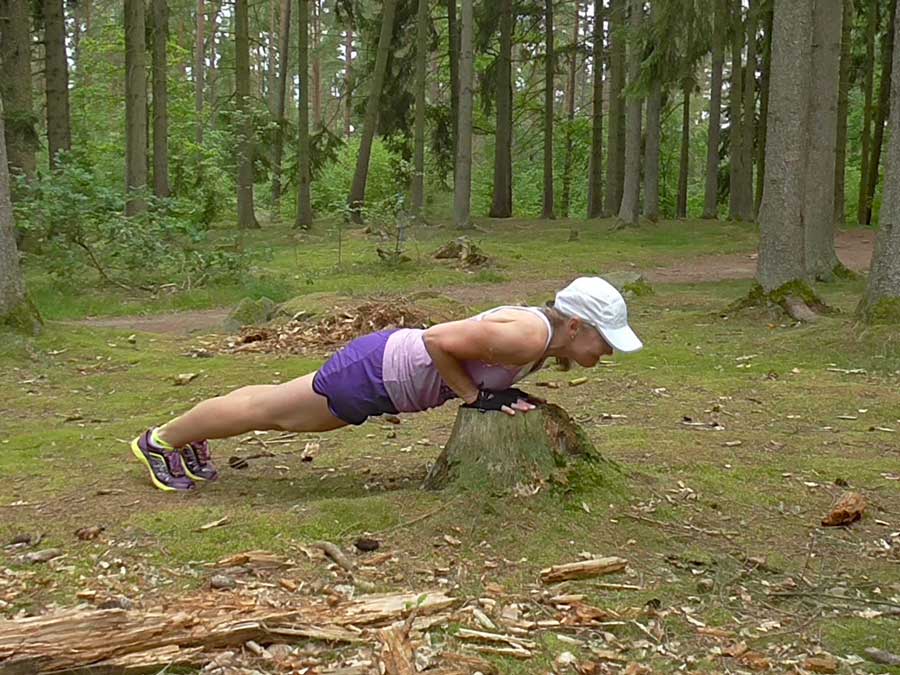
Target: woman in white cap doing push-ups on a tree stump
{"points": [[402, 370]]}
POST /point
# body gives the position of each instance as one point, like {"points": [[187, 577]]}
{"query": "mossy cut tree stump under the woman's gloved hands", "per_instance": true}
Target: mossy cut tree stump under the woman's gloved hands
{"points": [[495, 451]]}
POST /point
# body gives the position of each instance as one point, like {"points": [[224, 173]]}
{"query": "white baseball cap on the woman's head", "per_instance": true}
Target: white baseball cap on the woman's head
{"points": [[597, 303]]}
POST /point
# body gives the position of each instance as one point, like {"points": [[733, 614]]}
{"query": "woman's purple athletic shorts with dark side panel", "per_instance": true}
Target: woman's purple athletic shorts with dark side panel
{"points": [[352, 382]]}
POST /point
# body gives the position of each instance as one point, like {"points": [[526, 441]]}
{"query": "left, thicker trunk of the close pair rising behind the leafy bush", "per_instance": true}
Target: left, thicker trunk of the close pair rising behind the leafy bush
{"points": [[135, 107]]}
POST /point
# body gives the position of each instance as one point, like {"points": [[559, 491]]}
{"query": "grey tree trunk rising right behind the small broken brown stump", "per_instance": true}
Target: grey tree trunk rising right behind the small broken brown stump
{"points": [[462, 184]]}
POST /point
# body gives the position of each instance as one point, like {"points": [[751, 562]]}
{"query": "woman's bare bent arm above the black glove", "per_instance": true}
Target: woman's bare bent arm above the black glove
{"points": [[514, 342]]}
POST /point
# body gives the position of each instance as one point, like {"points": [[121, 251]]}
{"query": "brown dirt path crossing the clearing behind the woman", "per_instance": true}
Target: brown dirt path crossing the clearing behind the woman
{"points": [[854, 248]]}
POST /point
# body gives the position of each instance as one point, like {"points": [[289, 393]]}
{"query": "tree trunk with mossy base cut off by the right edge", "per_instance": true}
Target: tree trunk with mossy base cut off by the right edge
{"points": [[881, 301]]}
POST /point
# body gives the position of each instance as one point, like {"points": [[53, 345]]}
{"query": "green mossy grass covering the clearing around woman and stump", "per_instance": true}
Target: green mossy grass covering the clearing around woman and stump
{"points": [[695, 504]]}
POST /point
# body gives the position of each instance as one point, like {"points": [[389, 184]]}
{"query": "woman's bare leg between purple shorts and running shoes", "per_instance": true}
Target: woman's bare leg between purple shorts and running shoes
{"points": [[292, 406]]}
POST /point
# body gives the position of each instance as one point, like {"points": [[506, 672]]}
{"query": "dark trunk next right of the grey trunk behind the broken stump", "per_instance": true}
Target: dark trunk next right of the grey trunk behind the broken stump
{"points": [[501, 206]]}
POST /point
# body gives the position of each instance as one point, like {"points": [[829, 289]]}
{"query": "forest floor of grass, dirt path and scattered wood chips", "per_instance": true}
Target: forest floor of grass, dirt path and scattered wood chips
{"points": [[737, 432]]}
